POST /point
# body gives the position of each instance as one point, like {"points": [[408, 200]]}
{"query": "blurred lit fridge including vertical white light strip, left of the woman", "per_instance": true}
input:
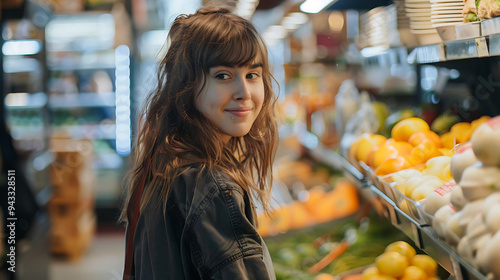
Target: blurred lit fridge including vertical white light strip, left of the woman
{"points": [[89, 93]]}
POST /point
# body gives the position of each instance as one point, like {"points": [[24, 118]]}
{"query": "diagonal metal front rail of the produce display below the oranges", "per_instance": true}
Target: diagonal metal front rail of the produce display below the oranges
{"points": [[421, 234]]}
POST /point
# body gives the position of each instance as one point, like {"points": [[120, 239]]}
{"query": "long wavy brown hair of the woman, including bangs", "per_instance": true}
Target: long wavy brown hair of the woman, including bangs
{"points": [[173, 133]]}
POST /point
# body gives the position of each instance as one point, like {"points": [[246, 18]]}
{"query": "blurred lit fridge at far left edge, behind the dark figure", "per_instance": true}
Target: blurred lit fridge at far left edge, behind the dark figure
{"points": [[25, 102]]}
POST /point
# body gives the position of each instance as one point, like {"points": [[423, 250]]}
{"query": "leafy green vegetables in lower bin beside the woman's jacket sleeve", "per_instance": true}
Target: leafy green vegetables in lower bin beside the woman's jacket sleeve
{"points": [[299, 250]]}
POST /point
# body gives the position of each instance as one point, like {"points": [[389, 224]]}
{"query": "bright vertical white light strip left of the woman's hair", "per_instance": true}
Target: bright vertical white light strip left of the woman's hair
{"points": [[122, 100]]}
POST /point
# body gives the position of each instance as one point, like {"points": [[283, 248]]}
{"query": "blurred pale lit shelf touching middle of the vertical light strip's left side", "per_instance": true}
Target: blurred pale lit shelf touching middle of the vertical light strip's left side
{"points": [[79, 100]]}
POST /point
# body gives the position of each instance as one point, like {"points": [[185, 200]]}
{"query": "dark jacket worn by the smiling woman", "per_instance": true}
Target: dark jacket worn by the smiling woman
{"points": [[207, 232]]}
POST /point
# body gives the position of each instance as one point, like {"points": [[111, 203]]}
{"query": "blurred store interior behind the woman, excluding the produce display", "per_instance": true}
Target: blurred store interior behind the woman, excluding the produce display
{"points": [[75, 74]]}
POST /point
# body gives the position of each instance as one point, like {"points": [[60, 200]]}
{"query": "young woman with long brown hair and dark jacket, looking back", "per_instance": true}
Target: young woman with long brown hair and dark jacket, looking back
{"points": [[204, 153]]}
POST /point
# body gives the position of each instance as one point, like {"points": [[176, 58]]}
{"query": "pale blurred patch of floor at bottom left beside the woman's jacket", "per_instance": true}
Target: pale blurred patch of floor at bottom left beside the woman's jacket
{"points": [[103, 261]]}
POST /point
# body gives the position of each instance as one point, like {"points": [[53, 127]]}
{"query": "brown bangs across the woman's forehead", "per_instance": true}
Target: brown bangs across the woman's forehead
{"points": [[237, 49]]}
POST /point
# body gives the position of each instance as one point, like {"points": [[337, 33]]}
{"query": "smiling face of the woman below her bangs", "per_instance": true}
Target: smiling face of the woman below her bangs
{"points": [[232, 98]]}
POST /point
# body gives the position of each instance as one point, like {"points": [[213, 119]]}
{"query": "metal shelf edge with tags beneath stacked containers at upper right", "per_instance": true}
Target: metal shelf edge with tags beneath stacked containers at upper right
{"points": [[456, 50]]}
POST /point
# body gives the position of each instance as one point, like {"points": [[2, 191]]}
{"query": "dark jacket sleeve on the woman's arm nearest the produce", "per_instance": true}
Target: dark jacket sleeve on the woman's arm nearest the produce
{"points": [[225, 244]]}
